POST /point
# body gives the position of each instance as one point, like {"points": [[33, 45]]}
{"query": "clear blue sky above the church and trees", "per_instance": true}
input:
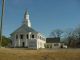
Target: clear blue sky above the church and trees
{"points": [[45, 15]]}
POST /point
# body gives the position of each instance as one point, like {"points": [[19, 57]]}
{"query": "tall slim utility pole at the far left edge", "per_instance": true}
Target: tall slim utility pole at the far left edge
{"points": [[1, 22]]}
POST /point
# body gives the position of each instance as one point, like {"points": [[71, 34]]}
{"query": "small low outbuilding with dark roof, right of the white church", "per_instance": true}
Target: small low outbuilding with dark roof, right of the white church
{"points": [[53, 43]]}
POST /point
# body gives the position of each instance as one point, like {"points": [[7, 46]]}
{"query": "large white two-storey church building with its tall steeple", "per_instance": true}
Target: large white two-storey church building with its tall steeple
{"points": [[26, 37]]}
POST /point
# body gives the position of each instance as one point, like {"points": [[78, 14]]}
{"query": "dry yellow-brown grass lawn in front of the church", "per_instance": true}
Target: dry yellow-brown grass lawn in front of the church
{"points": [[54, 54]]}
